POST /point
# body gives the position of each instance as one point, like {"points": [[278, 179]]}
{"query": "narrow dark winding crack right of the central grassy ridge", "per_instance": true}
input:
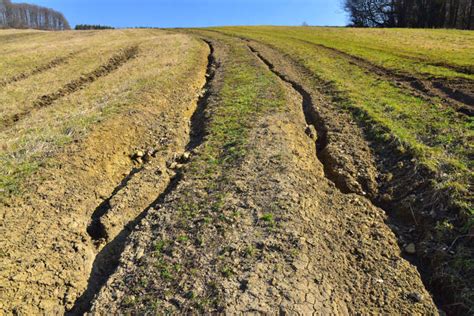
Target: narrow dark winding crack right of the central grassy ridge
{"points": [[313, 118]]}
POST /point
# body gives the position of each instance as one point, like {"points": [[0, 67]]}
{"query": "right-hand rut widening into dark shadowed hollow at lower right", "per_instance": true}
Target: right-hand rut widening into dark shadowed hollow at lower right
{"points": [[408, 228]]}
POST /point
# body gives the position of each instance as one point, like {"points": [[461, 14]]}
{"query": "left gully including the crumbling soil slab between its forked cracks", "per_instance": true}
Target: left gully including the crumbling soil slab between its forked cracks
{"points": [[113, 221]]}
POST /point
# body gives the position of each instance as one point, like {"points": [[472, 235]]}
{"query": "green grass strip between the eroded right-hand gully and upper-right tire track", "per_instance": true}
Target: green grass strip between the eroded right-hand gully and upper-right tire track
{"points": [[435, 135]]}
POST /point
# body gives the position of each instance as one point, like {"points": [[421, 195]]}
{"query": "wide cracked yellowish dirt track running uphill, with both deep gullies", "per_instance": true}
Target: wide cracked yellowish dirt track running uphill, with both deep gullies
{"points": [[292, 228]]}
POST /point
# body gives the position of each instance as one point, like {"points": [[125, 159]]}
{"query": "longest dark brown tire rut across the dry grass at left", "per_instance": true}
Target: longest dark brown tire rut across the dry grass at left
{"points": [[114, 63]]}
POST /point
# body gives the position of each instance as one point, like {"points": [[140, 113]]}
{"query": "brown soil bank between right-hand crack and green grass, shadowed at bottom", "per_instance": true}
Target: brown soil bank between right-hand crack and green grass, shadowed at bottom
{"points": [[404, 189]]}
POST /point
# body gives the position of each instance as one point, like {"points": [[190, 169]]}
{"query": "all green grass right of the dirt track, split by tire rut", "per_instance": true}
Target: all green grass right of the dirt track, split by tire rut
{"points": [[436, 136]]}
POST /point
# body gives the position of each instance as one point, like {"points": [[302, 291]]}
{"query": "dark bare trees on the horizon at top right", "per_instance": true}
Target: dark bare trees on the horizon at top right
{"points": [[411, 13]]}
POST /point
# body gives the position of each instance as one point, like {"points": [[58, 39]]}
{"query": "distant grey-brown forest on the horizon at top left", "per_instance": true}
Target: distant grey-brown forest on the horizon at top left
{"points": [[28, 16]]}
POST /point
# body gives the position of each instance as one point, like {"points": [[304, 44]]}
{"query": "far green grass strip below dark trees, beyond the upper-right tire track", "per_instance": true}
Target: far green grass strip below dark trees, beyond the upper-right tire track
{"points": [[417, 51]]}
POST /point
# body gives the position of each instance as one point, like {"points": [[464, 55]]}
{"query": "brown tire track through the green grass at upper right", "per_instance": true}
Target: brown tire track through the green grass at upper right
{"points": [[450, 92]]}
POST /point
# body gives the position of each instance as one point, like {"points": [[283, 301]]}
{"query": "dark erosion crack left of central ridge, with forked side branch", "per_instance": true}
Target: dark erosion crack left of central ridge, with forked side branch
{"points": [[107, 260]]}
